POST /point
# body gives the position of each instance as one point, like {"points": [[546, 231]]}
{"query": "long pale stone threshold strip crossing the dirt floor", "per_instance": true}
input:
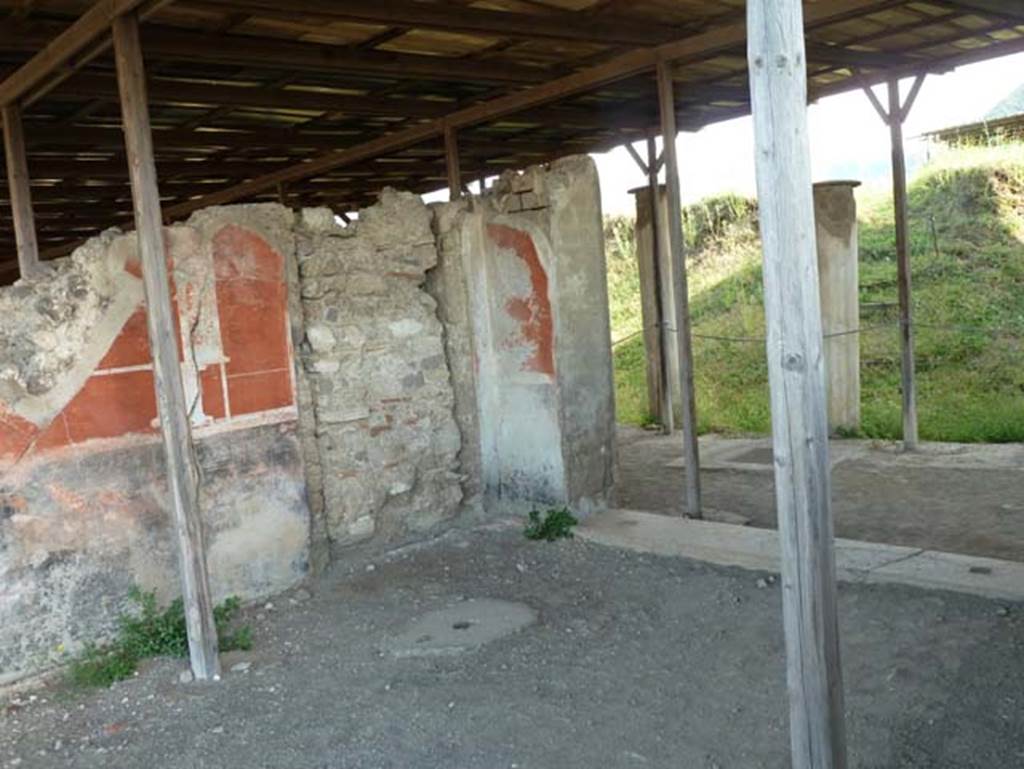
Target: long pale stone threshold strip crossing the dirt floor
{"points": [[758, 549]]}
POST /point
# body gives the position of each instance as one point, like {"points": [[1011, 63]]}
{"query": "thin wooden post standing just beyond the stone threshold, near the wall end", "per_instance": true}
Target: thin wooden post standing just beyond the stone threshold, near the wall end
{"points": [[677, 258]]}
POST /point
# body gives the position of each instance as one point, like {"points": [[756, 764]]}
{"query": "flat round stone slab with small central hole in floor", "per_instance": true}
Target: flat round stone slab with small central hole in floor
{"points": [[462, 627]]}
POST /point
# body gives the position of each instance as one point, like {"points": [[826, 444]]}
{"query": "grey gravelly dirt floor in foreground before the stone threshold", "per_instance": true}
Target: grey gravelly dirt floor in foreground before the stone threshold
{"points": [[632, 661]]}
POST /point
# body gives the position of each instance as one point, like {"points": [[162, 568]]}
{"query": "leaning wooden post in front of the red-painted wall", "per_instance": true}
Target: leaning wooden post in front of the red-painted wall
{"points": [[182, 469]]}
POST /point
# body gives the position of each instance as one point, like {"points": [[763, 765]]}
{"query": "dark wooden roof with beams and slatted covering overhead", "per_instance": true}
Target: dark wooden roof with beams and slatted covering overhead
{"points": [[325, 103]]}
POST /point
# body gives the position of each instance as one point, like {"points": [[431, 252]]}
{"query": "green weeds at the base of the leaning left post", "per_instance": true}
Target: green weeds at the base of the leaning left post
{"points": [[150, 632]]}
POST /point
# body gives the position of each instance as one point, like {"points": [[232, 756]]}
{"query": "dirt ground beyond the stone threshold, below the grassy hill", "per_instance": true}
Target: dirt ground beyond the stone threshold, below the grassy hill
{"points": [[959, 500]]}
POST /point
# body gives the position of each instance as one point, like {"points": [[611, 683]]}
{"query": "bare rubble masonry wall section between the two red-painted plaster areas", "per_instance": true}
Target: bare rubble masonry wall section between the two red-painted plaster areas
{"points": [[379, 380]]}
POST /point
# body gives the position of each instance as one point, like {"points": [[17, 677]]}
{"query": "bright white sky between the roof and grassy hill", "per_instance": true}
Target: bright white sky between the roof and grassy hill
{"points": [[848, 139]]}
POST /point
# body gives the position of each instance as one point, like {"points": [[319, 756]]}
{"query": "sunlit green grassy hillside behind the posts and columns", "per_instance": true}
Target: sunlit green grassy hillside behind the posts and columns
{"points": [[967, 221]]}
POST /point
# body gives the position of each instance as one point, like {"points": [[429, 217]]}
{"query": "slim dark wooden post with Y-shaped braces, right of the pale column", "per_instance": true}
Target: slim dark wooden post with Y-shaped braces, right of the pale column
{"points": [[897, 118]]}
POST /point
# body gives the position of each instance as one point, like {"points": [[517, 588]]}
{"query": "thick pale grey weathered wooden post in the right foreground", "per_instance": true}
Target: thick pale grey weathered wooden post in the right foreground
{"points": [[796, 368]]}
